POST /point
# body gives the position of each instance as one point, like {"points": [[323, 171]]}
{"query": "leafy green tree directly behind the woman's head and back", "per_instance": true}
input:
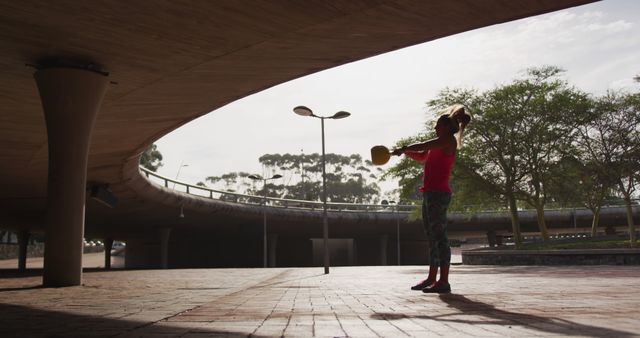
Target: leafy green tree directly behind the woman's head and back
{"points": [[486, 162]]}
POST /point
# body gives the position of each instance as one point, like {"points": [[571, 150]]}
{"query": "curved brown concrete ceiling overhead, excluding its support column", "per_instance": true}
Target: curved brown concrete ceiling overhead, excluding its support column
{"points": [[173, 61]]}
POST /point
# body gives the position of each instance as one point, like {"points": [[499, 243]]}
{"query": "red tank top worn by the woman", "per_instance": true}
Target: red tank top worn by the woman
{"points": [[437, 169]]}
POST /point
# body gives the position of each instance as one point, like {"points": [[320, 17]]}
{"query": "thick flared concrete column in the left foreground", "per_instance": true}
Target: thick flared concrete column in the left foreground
{"points": [[71, 98]]}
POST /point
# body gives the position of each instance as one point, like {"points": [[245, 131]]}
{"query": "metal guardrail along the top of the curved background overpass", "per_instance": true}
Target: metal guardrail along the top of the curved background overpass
{"points": [[228, 196]]}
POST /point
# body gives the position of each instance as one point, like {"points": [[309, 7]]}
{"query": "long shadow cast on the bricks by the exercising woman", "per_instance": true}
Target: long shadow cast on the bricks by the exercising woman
{"points": [[494, 316]]}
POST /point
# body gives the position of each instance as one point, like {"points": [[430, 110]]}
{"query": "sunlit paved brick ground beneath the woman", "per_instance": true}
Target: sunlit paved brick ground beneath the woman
{"points": [[592, 301]]}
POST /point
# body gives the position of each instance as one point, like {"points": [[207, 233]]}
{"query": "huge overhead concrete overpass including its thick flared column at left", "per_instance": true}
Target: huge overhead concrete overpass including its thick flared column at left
{"points": [[113, 76]]}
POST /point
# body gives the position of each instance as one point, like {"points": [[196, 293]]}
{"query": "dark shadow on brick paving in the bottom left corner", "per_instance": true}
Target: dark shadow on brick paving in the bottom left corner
{"points": [[21, 321]]}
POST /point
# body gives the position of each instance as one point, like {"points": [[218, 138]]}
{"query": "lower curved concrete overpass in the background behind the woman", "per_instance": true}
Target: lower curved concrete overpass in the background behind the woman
{"points": [[225, 229]]}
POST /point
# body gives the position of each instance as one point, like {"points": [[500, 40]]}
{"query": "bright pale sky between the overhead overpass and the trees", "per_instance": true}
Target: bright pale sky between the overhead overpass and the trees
{"points": [[597, 44]]}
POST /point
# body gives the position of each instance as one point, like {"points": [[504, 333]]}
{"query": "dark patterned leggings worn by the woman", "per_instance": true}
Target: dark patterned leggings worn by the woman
{"points": [[434, 217]]}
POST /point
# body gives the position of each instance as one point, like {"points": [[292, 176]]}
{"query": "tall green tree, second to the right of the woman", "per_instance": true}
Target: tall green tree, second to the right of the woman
{"points": [[550, 111]]}
